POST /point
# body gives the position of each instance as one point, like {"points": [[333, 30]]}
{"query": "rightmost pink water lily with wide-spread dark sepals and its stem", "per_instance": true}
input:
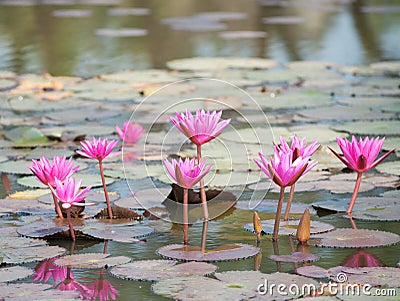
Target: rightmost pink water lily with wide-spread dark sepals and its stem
{"points": [[360, 156]]}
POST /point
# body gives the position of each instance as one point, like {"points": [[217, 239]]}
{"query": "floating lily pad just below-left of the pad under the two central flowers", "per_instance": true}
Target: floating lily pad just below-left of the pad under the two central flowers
{"points": [[155, 270]]}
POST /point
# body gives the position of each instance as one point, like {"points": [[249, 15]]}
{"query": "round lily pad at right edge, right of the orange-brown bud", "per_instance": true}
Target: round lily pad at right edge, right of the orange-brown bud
{"points": [[354, 238]]}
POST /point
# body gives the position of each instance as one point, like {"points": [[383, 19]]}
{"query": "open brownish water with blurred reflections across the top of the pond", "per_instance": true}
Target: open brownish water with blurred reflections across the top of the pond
{"points": [[85, 38]]}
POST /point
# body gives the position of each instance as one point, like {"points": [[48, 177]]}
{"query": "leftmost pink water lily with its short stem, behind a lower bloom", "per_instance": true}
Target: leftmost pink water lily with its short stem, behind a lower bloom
{"points": [[60, 168]]}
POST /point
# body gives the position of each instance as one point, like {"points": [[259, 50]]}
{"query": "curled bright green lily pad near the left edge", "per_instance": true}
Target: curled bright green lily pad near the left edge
{"points": [[25, 136]]}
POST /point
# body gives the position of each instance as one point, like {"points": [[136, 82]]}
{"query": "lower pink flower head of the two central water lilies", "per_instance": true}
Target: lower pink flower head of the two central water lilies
{"points": [[186, 172]]}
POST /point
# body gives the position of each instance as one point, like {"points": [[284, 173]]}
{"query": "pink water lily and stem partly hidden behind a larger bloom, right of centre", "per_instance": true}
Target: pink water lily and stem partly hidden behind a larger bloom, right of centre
{"points": [[298, 148]]}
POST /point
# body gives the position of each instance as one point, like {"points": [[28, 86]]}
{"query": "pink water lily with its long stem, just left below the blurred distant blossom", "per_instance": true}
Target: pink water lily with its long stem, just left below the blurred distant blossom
{"points": [[99, 149]]}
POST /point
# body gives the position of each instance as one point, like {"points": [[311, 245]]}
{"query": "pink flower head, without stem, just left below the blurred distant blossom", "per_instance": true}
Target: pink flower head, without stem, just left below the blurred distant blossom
{"points": [[97, 148]]}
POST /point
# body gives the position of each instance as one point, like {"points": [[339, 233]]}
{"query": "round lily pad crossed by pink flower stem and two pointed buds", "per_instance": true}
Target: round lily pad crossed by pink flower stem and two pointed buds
{"points": [[290, 226]]}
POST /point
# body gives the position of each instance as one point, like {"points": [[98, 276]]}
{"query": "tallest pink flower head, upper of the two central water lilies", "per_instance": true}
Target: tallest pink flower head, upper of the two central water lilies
{"points": [[202, 127]]}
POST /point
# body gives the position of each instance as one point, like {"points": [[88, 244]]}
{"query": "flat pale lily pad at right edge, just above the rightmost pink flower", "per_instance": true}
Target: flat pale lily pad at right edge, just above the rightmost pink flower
{"points": [[381, 128]]}
